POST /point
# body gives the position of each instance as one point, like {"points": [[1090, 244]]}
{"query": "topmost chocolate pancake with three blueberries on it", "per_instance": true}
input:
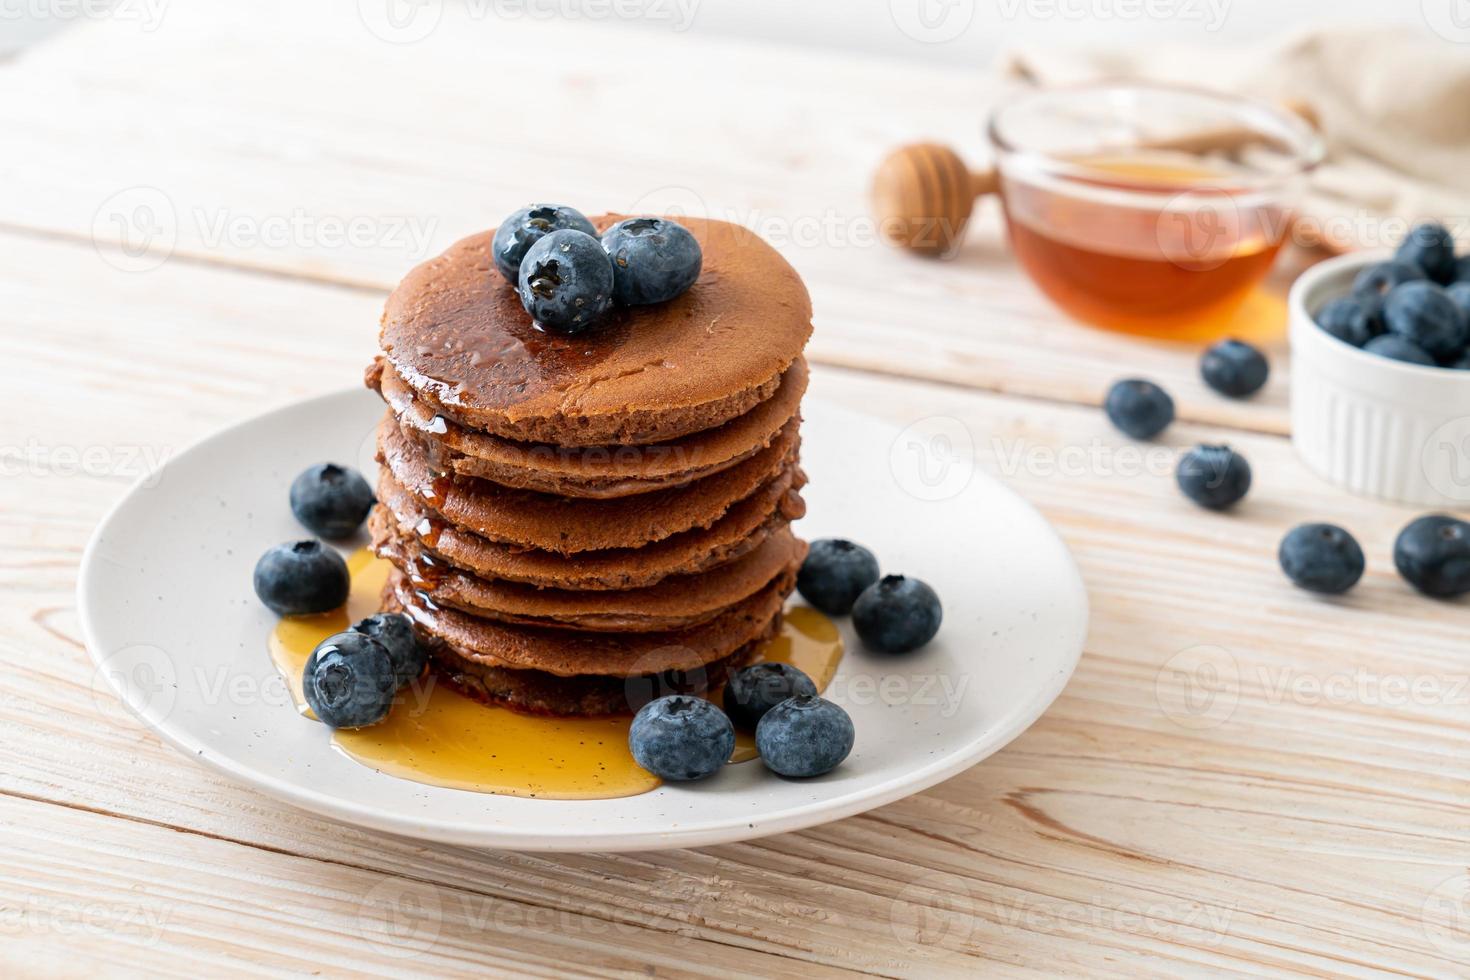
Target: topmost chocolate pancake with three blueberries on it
{"points": [[456, 333]]}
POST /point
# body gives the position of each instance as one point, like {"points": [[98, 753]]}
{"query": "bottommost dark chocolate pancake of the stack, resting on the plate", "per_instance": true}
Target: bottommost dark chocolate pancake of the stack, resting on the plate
{"points": [[539, 693]]}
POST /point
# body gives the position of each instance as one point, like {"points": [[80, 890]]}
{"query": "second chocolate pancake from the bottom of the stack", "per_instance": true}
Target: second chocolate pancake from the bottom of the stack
{"points": [[570, 653]]}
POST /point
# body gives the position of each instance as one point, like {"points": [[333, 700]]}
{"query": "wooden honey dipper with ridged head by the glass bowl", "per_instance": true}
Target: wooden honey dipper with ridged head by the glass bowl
{"points": [[924, 193]]}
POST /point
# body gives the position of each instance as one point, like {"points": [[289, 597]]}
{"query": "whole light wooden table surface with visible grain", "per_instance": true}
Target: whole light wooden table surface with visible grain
{"points": [[199, 220]]}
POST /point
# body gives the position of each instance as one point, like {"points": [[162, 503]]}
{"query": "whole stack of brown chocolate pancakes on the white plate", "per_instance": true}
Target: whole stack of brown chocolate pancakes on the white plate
{"points": [[578, 522]]}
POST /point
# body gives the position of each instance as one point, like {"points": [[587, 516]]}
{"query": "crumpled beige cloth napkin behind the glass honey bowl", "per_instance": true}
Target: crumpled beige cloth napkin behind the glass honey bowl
{"points": [[1394, 109]]}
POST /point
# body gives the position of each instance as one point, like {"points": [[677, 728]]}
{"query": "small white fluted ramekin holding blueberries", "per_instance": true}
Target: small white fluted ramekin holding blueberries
{"points": [[1368, 424]]}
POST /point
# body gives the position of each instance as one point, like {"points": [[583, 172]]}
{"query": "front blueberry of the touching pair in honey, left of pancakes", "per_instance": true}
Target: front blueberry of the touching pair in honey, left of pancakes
{"points": [[349, 681]]}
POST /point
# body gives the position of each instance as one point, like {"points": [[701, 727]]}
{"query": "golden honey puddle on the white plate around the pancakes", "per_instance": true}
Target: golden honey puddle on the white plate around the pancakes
{"points": [[439, 737]]}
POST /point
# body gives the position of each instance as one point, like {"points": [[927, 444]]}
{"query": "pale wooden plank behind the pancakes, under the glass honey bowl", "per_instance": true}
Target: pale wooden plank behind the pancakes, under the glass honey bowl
{"points": [[298, 174]]}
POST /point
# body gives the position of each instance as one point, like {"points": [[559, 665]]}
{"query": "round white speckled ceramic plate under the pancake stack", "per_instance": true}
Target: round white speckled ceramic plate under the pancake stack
{"points": [[174, 627]]}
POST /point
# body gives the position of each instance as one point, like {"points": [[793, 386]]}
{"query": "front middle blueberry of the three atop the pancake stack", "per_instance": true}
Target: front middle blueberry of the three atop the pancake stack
{"points": [[567, 281]]}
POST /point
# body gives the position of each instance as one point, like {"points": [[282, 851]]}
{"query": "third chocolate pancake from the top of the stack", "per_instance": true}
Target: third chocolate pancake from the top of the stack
{"points": [[570, 525]]}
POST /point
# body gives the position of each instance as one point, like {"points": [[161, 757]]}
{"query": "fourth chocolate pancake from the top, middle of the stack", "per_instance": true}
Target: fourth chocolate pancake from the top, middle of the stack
{"points": [[747, 524]]}
